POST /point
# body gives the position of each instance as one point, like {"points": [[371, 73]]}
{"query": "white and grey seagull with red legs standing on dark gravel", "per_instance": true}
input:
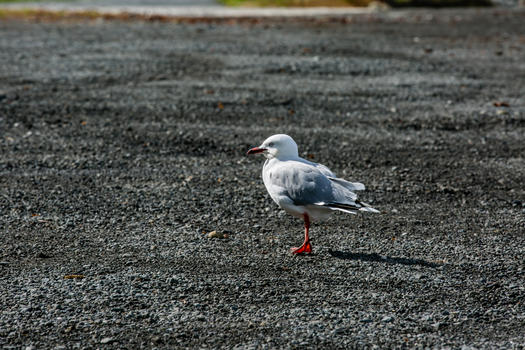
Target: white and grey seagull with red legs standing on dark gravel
{"points": [[305, 189]]}
